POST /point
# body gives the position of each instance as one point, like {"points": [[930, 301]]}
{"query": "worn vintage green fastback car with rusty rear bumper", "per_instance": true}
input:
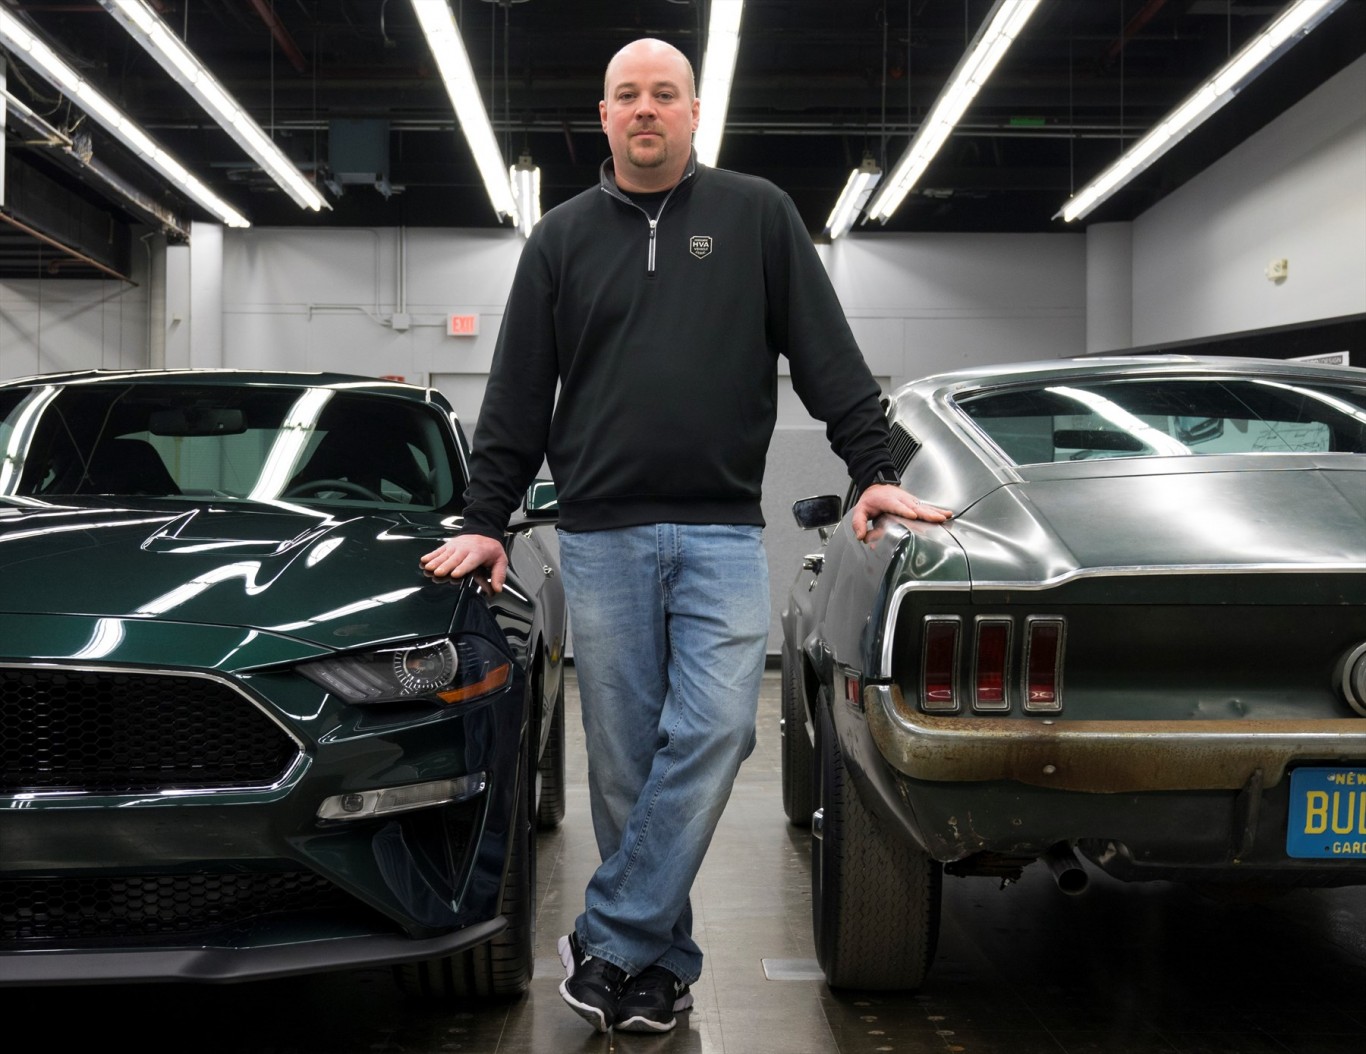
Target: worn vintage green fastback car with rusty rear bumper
{"points": [[1141, 641]]}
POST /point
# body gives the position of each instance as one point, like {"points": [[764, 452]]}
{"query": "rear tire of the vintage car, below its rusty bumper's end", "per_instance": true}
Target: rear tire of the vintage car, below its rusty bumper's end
{"points": [[875, 898]]}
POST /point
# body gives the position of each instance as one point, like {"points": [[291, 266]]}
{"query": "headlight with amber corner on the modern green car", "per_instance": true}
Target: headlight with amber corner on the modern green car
{"points": [[446, 671]]}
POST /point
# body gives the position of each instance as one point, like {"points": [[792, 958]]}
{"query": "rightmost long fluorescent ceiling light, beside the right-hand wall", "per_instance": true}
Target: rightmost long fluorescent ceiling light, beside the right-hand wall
{"points": [[1289, 28]]}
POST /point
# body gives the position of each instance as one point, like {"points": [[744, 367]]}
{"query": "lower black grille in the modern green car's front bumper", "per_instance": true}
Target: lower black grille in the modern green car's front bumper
{"points": [[156, 909]]}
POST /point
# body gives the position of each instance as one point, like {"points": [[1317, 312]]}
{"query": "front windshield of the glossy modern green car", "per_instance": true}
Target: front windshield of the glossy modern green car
{"points": [[309, 446]]}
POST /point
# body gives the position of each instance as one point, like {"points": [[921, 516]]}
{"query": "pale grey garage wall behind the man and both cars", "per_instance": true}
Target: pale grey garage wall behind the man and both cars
{"points": [[376, 301]]}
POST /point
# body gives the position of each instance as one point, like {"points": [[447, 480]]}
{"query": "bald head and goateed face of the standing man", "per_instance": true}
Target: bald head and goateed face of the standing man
{"points": [[650, 117]]}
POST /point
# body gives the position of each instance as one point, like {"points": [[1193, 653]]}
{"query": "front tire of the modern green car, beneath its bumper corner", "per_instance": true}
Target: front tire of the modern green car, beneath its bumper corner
{"points": [[502, 967]]}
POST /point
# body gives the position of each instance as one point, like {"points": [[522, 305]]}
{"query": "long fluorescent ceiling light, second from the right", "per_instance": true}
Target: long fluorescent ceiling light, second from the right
{"points": [[995, 38]]}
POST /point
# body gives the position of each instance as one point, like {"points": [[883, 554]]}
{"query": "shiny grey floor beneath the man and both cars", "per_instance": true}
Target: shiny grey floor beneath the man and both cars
{"points": [[1122, 970]]}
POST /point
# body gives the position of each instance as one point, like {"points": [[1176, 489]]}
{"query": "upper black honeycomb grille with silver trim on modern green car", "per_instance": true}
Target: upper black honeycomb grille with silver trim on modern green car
{"points": [[130, 732]]}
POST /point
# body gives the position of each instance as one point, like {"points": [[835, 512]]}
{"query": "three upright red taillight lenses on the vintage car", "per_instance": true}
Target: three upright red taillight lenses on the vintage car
{"points": [[988, 679]]}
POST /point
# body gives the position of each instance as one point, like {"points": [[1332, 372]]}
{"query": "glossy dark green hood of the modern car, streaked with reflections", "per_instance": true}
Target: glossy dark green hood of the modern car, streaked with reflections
{"points": [[335, 582]]}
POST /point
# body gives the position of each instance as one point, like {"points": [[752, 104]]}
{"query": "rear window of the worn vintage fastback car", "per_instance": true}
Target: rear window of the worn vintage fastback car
{"points": [[1087, 420]]}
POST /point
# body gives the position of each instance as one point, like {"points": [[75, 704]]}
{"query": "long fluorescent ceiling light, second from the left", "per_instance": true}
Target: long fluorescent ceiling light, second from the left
{"points": [[186, 70]]}
